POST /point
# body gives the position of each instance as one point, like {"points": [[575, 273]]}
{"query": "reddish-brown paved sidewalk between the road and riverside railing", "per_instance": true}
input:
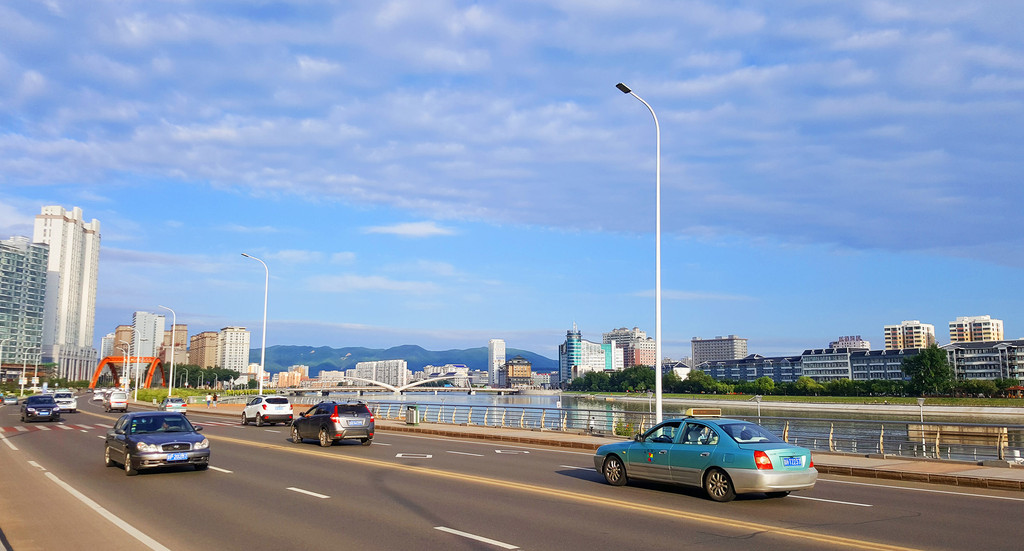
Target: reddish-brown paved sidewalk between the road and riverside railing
{"points": [[888, 468]]}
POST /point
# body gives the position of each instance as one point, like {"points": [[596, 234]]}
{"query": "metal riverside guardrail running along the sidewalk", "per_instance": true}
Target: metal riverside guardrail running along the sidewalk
{"points": [[961, 442]]}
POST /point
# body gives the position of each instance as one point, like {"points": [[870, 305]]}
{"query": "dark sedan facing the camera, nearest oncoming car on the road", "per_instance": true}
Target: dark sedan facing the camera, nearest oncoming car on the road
{"points": [[147, 440]]}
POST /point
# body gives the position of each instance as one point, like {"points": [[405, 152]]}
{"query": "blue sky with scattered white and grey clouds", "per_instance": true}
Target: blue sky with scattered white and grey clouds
{"points": [[445, 173]]}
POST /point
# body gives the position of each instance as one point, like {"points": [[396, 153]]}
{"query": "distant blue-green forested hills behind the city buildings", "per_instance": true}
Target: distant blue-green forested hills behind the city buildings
{"points": [[280, 358]]}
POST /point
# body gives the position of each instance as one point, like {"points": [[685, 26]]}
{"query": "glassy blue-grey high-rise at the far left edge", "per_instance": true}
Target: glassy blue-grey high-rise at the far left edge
{"points": [[23, 300]]}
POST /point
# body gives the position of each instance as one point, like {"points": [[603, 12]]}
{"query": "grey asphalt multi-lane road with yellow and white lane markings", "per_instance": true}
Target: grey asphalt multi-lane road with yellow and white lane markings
{"points": [[413, 492]]}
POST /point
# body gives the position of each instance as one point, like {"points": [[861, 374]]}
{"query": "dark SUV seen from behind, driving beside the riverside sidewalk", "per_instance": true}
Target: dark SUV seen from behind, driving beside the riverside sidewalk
{"points": [[333, 421]]}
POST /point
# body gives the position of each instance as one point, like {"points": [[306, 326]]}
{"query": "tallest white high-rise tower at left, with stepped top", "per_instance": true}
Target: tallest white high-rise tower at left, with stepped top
{"points": [[71, 290]]}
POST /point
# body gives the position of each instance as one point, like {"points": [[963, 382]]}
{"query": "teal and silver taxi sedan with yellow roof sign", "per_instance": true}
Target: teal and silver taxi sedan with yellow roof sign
{"points": [[726, 457]]}
